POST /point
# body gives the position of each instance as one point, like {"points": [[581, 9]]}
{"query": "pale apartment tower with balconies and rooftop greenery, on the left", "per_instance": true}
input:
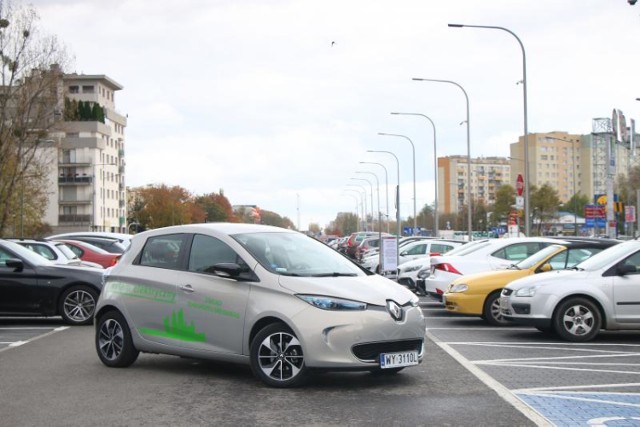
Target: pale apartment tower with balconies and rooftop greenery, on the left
{"points": [[90, 193]]}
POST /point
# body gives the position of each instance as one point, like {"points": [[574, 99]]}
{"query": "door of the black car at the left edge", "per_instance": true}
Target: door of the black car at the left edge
{"points": [[19, 290]]}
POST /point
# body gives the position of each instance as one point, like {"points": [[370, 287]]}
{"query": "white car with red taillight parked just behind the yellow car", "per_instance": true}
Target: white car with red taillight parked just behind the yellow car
{"points": [[487, 255]]}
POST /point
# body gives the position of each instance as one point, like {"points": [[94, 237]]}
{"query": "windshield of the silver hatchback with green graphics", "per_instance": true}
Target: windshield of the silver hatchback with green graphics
{"points": [[295, 254]]}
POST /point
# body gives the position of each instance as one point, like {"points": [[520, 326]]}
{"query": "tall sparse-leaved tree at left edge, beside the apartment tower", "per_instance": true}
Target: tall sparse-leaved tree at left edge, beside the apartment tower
{"points": [[29, 104]]}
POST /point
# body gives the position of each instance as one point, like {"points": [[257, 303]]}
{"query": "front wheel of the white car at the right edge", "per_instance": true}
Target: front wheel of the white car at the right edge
{"points": [[577, 319]]}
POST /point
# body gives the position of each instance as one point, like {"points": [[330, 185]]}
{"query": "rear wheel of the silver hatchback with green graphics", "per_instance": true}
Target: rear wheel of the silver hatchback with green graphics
{"points": [[113, 341]]}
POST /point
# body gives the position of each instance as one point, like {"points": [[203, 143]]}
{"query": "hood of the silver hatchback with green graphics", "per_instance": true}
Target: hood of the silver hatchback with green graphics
{"points": [[373, 289]]}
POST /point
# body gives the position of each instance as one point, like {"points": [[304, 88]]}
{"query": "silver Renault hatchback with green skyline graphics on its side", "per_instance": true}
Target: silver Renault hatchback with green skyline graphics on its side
{"points": [[265, 296]]}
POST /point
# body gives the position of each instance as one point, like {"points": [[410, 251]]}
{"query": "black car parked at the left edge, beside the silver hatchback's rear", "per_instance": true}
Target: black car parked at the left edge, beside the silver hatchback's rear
{"points": [[31, 285]]}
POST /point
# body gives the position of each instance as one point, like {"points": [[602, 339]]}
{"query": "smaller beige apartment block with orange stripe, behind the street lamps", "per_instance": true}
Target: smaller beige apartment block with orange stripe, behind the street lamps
{"points": [[487, 175]]}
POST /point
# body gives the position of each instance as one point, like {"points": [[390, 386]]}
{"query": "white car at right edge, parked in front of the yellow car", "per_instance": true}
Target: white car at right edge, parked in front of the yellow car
{"points": [[602, 292]]}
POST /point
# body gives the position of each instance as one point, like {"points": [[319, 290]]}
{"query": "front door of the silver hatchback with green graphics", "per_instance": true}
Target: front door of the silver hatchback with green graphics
{"points": [[213, 306]]}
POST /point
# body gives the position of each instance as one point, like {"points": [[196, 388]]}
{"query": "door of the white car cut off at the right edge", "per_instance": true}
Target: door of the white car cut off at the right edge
{"points": [[626, 292]]}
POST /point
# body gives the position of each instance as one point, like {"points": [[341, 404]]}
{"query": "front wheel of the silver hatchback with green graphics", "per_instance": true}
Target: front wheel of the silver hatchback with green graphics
{"points": [[277, 357]]}
